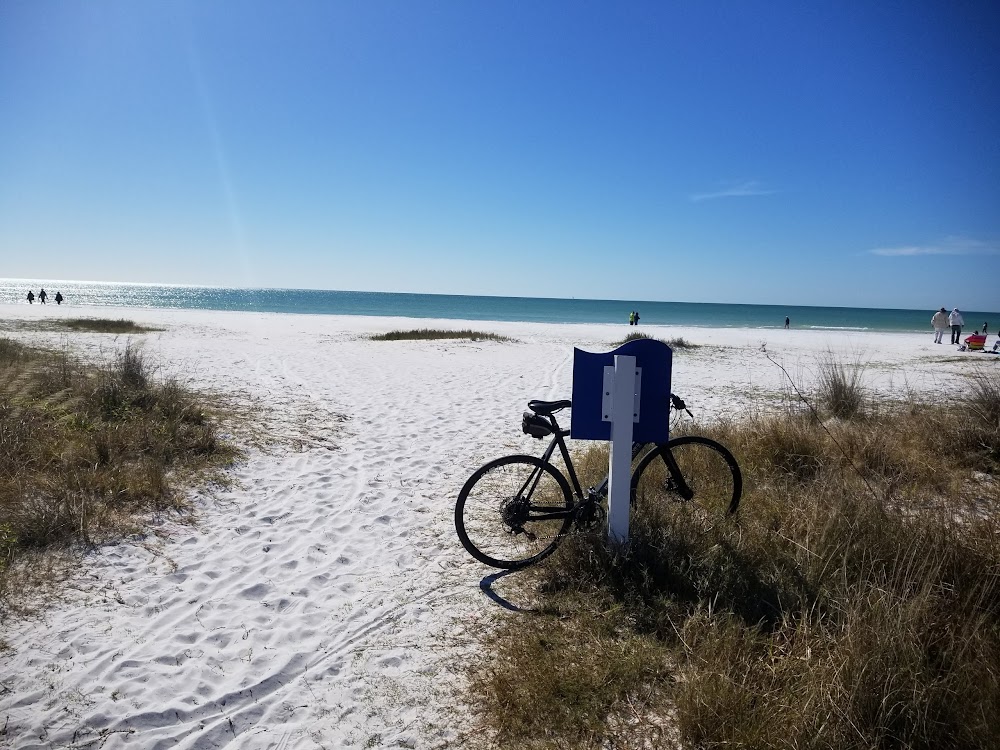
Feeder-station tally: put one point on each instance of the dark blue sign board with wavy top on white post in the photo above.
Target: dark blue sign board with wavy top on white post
(654, 358)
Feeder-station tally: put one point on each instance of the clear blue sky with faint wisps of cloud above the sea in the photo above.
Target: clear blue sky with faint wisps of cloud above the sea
(823, 153)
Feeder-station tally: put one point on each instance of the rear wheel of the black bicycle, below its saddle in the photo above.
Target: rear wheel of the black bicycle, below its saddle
(512, 511)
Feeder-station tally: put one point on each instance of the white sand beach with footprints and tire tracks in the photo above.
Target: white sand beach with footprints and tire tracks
(323, 600)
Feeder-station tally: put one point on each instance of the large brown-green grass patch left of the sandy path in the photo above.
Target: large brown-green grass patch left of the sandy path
(86, 451)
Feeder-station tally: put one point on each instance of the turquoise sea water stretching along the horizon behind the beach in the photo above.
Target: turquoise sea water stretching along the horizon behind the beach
(97, 294)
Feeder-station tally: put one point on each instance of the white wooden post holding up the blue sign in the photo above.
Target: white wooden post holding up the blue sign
(620, 406)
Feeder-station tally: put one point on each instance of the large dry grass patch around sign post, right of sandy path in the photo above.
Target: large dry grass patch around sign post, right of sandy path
(854, 600)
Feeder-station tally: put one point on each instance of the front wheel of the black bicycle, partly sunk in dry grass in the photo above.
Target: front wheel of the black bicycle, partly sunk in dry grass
(707, 467)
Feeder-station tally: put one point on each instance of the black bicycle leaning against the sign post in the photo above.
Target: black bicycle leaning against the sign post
(513, 511)
